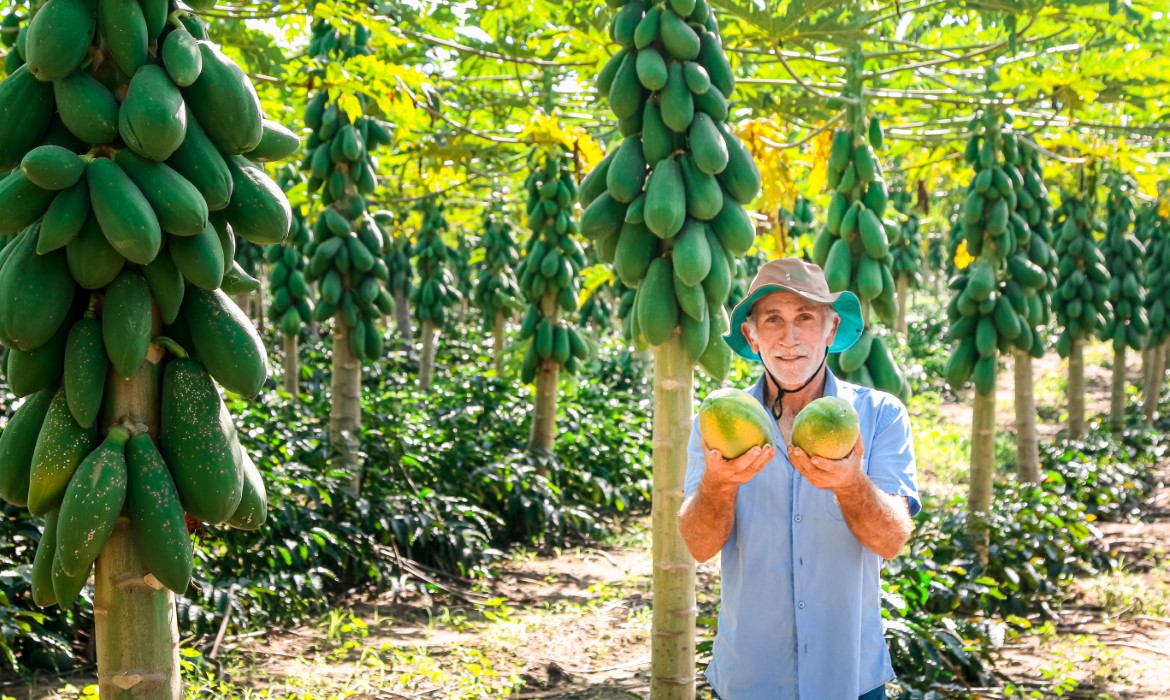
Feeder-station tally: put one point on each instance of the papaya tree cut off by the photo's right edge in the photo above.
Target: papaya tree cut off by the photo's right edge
(1155, 229)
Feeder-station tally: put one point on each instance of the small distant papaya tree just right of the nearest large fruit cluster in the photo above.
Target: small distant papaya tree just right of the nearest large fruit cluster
(292, 306)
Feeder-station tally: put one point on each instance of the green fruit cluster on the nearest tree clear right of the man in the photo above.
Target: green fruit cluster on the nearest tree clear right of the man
(997, 305)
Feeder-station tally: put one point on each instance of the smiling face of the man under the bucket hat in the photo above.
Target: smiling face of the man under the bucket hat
(792, 335)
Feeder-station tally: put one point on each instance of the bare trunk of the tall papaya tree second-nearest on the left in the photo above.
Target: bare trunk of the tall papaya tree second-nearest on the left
(346, 411)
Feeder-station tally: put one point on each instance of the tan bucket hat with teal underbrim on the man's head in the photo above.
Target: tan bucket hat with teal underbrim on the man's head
(808, 280)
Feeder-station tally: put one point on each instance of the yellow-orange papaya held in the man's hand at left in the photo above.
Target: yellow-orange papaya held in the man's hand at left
(733, 422)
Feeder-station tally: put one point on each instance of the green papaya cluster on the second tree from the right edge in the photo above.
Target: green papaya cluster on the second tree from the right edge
(1125, 258)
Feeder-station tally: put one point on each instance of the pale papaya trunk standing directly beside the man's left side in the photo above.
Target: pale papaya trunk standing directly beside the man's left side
(673, 626)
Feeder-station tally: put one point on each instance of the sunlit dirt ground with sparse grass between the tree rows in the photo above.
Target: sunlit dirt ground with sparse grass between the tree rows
(577, 626)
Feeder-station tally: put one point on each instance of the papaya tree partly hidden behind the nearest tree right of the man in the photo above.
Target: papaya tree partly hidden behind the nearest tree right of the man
(1035, 207)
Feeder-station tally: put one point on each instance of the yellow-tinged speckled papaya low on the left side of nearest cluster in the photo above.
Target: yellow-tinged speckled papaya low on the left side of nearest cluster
(60, 448)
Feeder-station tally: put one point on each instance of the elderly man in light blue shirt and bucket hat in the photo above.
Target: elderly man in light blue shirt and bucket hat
(802, 538)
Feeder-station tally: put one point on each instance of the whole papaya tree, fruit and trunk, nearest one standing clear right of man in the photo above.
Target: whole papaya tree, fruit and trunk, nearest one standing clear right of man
(989, 311)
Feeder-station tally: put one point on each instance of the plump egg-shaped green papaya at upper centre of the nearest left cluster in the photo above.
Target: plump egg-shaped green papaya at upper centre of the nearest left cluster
(153, 120)
